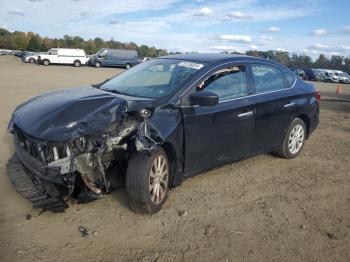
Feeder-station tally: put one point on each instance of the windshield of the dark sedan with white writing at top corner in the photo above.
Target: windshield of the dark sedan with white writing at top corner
(153, 79)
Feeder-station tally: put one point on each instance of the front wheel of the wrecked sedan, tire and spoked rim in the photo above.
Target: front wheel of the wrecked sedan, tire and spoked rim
(147, 181)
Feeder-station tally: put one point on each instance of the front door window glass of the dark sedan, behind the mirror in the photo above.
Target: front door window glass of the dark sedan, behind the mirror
(227, 83)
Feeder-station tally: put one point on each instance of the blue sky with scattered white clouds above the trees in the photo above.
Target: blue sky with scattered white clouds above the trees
(309, 26)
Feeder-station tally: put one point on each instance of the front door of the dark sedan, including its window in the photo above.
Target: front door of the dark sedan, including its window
(219, 134)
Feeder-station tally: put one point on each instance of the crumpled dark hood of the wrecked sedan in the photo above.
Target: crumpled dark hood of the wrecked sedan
(63, 115)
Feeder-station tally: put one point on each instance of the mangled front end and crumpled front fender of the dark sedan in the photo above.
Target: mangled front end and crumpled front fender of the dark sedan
(93, 164)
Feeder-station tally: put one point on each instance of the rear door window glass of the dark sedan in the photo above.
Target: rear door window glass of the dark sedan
(267, 78)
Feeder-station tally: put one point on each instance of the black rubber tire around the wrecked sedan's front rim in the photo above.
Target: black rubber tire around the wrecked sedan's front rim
(138, 181)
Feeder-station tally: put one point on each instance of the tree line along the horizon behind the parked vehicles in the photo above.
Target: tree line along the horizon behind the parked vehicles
(33, 42)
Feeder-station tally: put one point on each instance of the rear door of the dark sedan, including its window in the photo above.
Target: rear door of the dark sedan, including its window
(275, 104)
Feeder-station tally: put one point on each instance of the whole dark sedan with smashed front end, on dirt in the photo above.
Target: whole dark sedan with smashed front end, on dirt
(150, 127)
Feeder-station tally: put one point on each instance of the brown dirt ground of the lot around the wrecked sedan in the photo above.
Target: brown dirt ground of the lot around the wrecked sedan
(260, 209)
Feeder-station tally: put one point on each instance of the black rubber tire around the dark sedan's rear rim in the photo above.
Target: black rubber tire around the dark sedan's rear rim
(284, 149)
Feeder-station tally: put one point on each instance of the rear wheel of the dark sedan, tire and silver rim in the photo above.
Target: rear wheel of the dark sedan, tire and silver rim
(294, 140)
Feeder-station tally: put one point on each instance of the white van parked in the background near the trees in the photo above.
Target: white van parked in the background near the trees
(75, 57)
